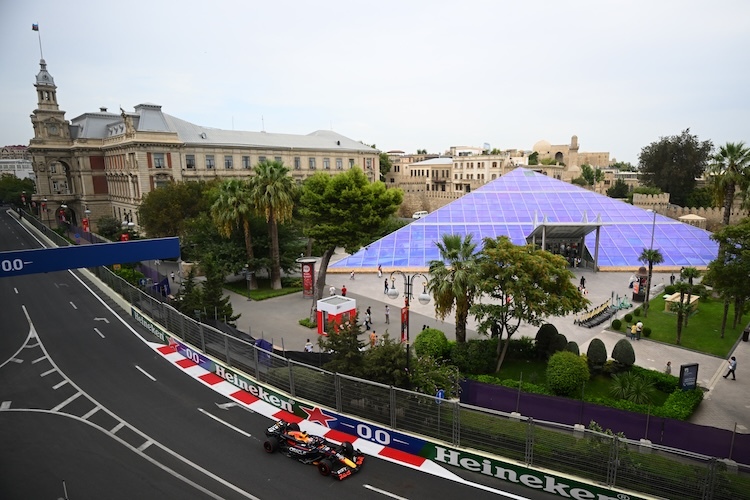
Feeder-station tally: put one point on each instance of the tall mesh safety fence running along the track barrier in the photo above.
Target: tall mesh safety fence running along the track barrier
(600, 457)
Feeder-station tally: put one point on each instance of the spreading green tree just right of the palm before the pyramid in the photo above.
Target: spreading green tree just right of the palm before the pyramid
(524, 284)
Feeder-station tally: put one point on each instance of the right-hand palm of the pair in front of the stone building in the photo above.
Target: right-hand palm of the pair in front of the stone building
(272, 195)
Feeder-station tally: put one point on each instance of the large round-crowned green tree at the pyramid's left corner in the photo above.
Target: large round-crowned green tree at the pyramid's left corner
(344, 210)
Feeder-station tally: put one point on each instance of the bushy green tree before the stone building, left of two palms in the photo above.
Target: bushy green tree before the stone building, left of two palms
(164, 210)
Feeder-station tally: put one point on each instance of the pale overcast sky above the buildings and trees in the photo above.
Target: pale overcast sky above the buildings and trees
(404, 75)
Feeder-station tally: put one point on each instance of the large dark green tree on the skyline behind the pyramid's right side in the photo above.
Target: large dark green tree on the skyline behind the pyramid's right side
(673, 163)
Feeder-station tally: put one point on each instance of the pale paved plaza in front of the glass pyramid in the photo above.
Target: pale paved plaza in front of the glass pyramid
(727, 402)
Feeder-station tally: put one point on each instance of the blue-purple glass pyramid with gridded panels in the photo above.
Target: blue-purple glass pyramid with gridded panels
(516, 203)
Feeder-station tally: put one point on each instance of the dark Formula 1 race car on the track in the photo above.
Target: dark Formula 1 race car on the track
(339, 461)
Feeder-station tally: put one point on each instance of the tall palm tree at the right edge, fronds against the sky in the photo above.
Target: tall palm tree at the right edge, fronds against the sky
(730, 169)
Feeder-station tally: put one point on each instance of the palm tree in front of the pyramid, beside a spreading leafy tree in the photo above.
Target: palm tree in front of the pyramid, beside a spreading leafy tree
(452, 282)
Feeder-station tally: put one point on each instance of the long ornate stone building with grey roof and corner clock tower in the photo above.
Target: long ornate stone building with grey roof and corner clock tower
(104, 162)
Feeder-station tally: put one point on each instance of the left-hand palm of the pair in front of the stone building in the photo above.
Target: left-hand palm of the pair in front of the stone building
(231, 209)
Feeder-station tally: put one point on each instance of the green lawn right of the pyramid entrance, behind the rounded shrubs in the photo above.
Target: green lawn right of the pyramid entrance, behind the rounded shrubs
(703, 333)
